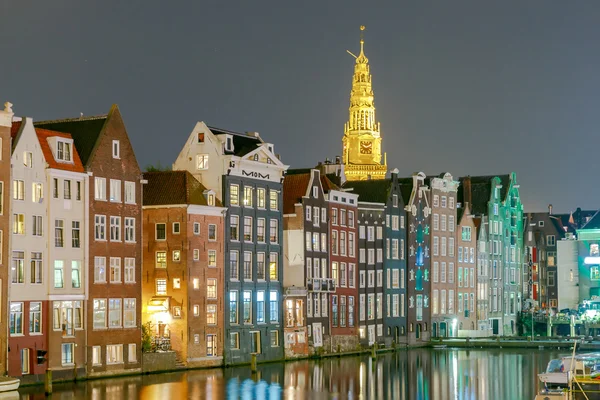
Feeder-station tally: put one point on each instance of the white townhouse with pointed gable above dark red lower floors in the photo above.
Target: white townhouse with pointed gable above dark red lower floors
(28, 321)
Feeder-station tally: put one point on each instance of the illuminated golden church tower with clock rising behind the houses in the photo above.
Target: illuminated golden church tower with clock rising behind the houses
(362, 138)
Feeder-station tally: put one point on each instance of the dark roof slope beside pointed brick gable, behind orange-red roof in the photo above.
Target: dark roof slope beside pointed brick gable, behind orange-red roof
(85, 132)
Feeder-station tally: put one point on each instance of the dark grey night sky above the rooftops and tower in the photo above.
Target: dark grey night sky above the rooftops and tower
(468, 87)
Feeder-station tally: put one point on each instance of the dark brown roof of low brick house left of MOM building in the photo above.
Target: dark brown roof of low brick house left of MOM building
(174, 187)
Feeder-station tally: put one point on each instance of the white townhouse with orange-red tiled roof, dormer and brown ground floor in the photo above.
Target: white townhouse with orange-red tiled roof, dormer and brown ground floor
(65, 192)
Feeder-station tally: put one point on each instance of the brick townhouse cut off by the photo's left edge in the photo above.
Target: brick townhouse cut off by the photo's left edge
(6, 117)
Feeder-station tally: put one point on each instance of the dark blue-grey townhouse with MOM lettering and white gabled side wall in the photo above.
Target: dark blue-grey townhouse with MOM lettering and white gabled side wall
(247, 176)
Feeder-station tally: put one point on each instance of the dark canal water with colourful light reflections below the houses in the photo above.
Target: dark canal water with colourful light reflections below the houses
(420, 374)
